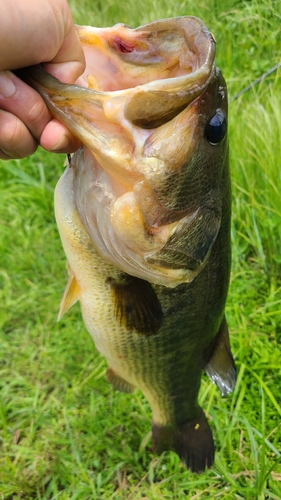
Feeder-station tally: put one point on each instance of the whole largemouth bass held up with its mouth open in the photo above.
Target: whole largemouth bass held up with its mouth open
(143, 210)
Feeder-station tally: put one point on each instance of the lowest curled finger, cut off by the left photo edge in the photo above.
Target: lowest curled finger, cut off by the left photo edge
(15, 138)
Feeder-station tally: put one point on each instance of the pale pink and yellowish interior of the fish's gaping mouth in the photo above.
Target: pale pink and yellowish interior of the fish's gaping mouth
(121, 57)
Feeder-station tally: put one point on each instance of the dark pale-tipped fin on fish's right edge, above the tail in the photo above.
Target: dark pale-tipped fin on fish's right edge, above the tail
(220, 366)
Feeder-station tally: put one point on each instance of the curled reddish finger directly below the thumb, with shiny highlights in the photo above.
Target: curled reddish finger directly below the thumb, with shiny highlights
(24, 102)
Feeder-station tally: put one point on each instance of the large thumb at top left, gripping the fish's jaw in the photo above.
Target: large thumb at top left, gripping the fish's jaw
(34, 31)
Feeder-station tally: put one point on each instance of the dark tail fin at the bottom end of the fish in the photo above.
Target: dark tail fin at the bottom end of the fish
(192, 441)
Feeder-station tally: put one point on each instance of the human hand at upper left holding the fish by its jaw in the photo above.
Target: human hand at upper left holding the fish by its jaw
(32, 32)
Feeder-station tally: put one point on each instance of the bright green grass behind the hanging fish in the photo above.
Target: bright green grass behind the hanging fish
(64, 433)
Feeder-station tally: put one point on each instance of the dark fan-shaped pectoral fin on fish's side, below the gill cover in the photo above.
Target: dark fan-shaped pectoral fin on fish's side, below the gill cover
(136, 305)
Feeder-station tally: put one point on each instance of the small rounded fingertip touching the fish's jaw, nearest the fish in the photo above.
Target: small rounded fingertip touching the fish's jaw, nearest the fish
(57, 138)
